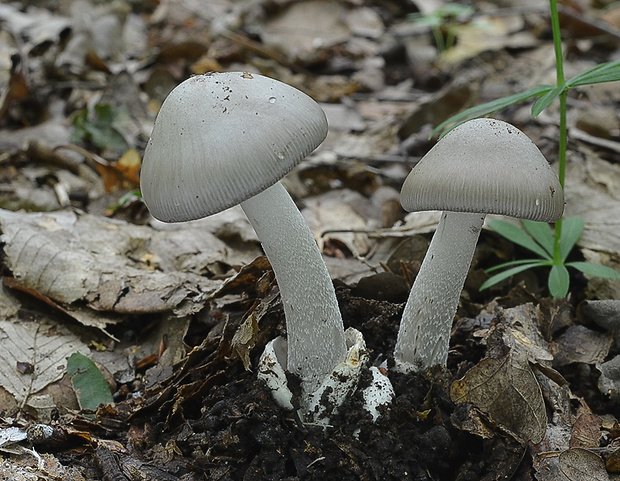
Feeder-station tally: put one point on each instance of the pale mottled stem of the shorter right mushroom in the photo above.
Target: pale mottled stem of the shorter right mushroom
(424, 333)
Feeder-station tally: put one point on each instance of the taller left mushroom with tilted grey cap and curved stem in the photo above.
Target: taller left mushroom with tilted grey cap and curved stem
(223, 139)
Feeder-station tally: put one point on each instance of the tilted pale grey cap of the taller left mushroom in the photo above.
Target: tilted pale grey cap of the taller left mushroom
(222, 138)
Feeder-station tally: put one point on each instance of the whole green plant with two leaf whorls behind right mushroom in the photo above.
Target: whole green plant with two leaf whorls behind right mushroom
(552, 247)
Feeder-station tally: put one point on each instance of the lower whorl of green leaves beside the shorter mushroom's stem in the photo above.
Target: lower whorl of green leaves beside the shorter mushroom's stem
(538, 238)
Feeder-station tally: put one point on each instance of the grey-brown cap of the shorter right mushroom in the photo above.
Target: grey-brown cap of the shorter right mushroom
(485, 166)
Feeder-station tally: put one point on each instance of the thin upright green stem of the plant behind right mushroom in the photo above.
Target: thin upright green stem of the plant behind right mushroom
(559, 65)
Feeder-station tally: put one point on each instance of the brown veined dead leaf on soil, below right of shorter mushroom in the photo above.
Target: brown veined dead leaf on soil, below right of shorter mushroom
(507, 390)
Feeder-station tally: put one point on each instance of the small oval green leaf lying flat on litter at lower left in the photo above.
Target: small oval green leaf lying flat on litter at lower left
(89, 385)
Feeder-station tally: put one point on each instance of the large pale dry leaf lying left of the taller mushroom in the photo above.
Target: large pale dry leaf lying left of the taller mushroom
(69, 257)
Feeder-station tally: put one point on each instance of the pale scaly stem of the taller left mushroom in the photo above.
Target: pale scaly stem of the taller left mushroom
(315, 333)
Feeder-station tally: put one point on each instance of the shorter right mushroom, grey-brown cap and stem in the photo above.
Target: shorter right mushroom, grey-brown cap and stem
(483, 166)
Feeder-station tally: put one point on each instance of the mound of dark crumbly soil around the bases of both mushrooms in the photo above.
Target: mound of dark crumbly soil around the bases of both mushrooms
(240, 433)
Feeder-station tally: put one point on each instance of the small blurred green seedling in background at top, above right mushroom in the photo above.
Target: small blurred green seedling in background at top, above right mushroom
(443, 22)
